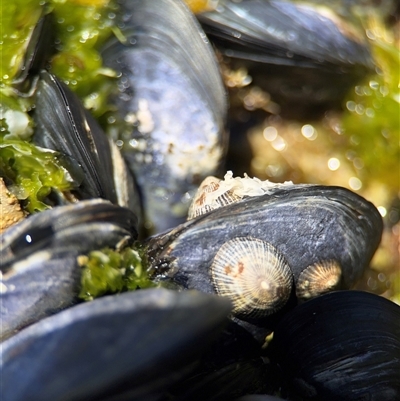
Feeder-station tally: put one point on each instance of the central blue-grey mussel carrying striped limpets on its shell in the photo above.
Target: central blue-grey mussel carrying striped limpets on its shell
(320, 238)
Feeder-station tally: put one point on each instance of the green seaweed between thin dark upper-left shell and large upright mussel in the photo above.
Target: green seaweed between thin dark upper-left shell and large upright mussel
(82, 28)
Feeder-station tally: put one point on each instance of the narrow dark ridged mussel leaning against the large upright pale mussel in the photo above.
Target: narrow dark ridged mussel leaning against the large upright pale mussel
(64, 125)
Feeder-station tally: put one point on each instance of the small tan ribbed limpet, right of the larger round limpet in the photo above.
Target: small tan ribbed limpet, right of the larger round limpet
(318, 278)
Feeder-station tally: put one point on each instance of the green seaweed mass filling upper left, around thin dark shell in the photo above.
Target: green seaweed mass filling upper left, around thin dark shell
(81, 27)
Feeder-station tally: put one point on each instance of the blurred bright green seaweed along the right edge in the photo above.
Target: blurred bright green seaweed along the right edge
(372, 116)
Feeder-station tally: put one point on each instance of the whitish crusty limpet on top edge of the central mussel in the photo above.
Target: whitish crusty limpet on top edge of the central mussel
(214, 193)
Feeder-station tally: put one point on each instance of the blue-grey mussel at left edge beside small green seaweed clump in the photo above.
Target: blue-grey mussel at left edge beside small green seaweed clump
(39, 270)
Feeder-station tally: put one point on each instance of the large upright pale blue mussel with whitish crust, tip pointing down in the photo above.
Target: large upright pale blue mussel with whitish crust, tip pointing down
(170, 85)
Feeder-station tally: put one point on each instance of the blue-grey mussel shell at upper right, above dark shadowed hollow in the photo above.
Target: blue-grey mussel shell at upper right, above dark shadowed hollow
(284, 33)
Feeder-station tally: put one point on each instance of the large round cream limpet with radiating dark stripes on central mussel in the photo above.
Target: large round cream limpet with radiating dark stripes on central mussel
(254, 275)
